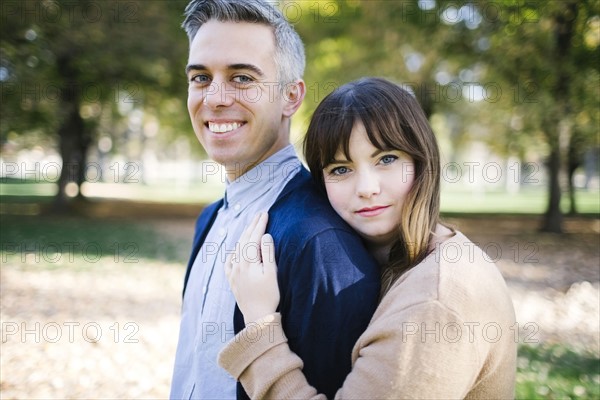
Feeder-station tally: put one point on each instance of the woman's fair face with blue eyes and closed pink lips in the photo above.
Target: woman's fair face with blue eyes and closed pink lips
(369, 190)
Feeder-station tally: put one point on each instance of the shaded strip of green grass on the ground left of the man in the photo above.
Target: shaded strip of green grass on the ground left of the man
(76, 242)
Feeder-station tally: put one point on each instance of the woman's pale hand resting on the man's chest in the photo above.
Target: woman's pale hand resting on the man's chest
(252, 272)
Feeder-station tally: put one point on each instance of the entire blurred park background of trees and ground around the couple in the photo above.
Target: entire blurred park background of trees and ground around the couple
(102, 176)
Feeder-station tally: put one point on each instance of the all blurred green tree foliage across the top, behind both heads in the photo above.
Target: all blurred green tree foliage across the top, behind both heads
(105, 78)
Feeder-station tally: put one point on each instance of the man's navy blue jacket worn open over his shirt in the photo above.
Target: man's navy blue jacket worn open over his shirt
(329, 283)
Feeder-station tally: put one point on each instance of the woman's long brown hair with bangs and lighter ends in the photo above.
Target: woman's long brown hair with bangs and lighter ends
(393, 119)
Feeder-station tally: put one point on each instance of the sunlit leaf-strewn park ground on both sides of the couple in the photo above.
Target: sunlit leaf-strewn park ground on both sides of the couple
(90, 306)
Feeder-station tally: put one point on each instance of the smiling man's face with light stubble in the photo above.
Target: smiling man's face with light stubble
(234, 100)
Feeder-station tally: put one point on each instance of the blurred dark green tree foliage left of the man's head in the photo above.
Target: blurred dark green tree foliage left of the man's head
(110, 57)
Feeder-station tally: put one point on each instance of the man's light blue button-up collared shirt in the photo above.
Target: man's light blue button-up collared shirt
(208, 305)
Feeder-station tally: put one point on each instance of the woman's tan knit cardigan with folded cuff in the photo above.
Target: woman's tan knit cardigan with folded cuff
(445, 330)
